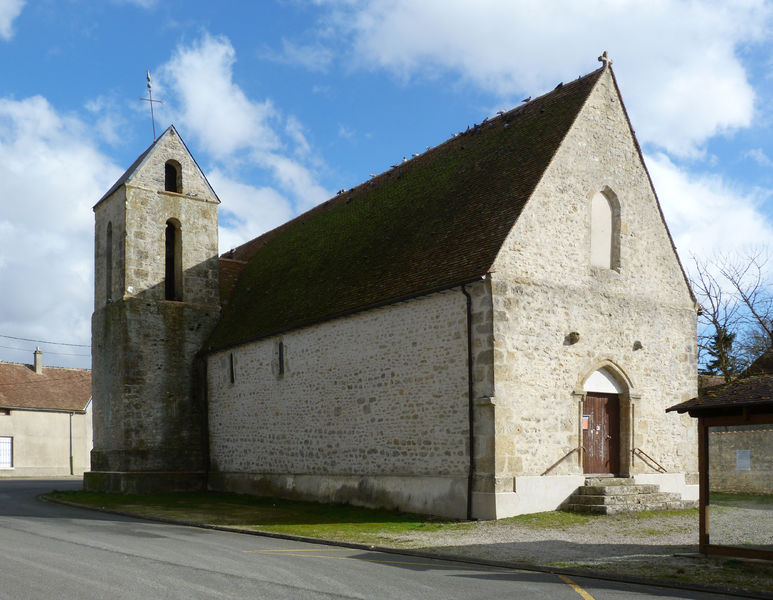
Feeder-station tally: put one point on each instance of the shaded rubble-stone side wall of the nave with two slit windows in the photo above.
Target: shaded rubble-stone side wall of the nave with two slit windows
(381, 393)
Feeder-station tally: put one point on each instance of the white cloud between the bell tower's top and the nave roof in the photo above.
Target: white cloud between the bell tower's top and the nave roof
(241, 133)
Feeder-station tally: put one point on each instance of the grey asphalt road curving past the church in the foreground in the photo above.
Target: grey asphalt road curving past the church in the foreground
(50, 551)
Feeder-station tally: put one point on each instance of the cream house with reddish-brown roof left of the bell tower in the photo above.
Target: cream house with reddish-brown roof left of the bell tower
(45, 420)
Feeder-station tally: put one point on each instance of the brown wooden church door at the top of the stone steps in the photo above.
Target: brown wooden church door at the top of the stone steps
(601, 433)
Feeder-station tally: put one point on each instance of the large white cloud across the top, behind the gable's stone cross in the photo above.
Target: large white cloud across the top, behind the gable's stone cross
(677, 62)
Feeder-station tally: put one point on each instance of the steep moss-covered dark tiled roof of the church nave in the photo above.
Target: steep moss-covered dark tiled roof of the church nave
(428, 224)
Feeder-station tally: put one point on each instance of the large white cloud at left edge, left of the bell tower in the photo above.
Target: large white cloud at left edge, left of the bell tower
(52, 174)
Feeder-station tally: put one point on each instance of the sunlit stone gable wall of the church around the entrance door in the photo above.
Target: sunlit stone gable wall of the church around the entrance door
(544, 288)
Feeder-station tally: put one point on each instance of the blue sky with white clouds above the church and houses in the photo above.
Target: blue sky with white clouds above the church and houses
(284, 102)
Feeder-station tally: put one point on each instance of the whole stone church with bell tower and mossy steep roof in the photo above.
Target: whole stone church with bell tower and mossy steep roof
(469, 334)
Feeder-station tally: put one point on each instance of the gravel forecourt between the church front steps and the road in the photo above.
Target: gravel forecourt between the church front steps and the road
(659, 546)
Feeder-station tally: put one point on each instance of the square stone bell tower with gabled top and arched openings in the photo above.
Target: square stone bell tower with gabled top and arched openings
(156, 300)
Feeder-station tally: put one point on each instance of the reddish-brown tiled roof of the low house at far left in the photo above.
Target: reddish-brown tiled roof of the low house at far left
(54, 389)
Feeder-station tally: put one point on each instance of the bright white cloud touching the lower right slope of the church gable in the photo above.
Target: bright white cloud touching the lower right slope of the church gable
(707, 215)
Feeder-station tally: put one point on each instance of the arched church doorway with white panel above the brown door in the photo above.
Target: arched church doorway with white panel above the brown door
(600, 423)
